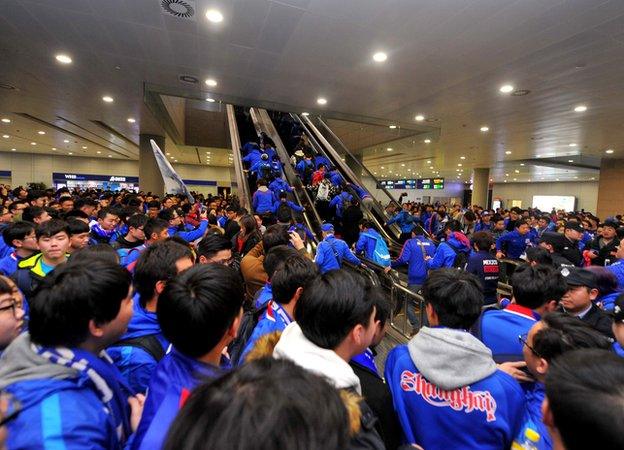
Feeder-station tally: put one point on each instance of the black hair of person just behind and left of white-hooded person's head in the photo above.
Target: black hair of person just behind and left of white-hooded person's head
(294, 272)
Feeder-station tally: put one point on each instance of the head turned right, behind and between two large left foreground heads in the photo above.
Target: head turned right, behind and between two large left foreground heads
(157, 265)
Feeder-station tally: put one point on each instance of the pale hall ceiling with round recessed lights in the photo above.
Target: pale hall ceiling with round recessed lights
(446, 61)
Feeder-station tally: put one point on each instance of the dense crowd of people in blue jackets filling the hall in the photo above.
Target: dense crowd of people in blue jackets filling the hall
(146, 321)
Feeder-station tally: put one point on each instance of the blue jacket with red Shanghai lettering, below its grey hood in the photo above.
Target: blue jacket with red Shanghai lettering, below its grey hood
(483, 415)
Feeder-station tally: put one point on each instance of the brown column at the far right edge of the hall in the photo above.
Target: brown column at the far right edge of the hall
(610, 188)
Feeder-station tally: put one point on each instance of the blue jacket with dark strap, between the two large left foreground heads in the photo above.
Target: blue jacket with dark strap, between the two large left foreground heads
(136, 364)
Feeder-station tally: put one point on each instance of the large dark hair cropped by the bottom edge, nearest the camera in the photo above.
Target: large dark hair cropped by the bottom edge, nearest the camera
(239, 410)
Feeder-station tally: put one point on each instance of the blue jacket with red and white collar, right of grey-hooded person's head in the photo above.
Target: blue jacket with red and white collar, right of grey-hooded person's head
(499, 329)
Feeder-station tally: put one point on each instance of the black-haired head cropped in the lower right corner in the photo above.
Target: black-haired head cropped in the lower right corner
(584, 397)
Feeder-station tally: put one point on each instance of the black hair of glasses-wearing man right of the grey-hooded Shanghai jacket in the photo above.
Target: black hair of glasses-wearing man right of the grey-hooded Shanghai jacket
(563, 333)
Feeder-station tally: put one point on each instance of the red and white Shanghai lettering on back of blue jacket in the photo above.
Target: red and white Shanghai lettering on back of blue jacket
(457, 399)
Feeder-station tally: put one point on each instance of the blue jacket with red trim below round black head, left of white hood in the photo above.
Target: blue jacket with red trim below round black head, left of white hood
(174, 379)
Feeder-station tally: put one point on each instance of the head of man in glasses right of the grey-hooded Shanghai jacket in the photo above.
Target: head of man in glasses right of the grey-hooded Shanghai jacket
(553, 335)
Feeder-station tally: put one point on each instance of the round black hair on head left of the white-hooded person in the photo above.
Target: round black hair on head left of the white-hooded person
(198, 306)
